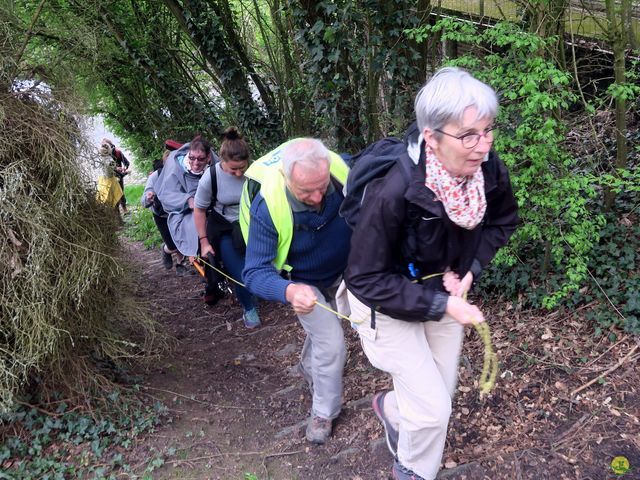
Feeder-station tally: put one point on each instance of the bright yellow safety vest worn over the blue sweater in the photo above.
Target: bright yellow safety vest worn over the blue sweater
(267, 172)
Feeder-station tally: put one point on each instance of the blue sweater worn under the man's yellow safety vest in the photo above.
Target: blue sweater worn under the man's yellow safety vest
(318, 253)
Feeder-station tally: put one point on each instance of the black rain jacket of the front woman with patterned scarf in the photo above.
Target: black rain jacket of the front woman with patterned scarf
(401, 222)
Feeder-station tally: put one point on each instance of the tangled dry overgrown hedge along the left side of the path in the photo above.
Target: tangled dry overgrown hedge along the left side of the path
(61, 284)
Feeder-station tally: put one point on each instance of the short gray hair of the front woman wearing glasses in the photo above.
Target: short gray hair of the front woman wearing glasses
(445, 97)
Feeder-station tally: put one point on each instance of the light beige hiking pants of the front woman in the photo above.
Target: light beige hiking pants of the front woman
(422, 358)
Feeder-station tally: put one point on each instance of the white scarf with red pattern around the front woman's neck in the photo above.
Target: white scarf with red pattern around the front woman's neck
(462, 197)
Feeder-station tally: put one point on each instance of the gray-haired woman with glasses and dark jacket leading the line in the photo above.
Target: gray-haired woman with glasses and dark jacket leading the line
(451, 216)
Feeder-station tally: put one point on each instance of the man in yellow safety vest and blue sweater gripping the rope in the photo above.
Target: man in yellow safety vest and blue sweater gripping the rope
(297, 249)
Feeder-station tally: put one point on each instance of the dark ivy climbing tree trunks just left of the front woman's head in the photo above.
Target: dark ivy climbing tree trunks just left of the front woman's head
(358, 52)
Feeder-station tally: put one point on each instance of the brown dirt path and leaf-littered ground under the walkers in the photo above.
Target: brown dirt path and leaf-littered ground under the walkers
(565, 405)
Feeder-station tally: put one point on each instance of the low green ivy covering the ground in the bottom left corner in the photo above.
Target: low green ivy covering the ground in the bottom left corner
(69, 444)
